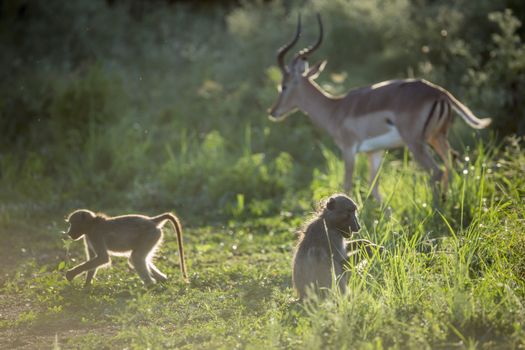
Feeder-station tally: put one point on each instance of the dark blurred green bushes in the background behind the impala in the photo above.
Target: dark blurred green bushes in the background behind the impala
(161, 105)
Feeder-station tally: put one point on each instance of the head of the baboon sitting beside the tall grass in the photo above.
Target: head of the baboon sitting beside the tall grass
(341, 212)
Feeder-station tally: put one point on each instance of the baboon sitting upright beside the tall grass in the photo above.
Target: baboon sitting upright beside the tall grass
(321, 252)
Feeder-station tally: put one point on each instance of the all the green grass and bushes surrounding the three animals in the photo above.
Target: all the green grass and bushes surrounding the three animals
(162, 108)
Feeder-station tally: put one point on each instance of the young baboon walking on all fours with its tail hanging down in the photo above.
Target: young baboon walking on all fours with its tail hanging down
(136, 236)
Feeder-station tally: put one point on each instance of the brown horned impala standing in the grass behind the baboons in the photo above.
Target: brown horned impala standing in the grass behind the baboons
(374, 118)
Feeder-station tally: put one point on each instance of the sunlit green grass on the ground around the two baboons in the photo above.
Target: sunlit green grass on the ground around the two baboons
(450, 279)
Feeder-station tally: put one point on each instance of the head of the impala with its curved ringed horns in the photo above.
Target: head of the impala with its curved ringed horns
(295, 75)
